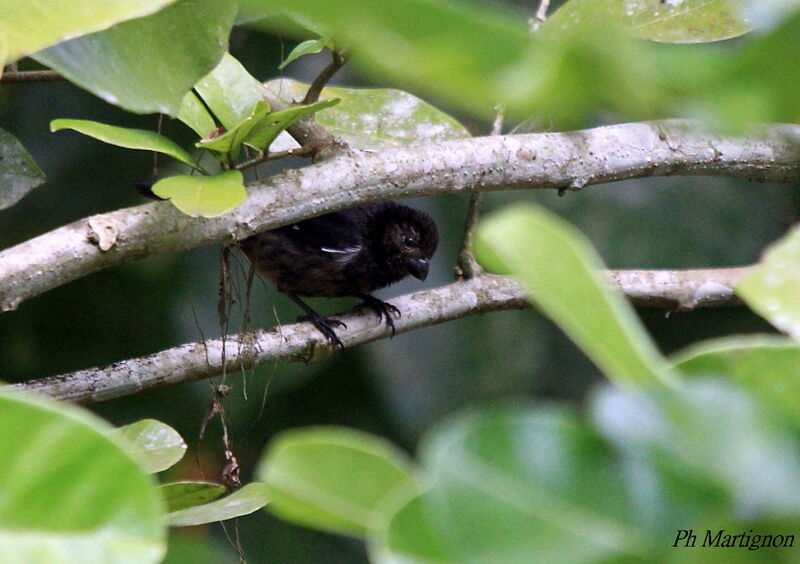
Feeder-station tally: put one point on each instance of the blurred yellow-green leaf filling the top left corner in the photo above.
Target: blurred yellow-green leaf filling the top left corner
(27, 27)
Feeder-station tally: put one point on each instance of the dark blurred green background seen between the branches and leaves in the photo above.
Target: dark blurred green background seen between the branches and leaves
(396, 388)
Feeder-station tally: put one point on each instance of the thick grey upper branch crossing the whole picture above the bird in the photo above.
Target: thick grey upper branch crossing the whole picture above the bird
(568, 160)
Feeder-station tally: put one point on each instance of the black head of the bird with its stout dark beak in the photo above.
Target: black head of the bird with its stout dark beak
(409, 240)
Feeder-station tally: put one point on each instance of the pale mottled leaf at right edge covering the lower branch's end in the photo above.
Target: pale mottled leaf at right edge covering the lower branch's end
(772, 289)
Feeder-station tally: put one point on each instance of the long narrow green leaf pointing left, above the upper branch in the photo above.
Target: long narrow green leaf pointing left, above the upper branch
(123, 137)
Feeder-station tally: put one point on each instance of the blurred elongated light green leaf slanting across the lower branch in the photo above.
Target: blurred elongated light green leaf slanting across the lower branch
(563, 275)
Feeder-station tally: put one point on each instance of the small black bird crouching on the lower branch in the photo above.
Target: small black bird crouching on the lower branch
(351, 252)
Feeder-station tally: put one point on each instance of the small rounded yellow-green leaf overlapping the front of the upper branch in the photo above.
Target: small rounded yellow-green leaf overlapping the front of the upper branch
(207, 196)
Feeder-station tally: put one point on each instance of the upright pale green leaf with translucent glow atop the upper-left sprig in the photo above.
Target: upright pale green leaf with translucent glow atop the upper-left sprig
(230, 92)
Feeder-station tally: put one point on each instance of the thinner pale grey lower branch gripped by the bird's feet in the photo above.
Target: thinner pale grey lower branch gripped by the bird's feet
(301, 342)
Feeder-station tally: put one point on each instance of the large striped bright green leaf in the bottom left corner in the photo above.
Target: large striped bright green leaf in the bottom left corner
(70, 492)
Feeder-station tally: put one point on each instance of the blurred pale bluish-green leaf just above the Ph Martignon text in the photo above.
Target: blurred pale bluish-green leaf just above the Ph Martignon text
(714, 434)
